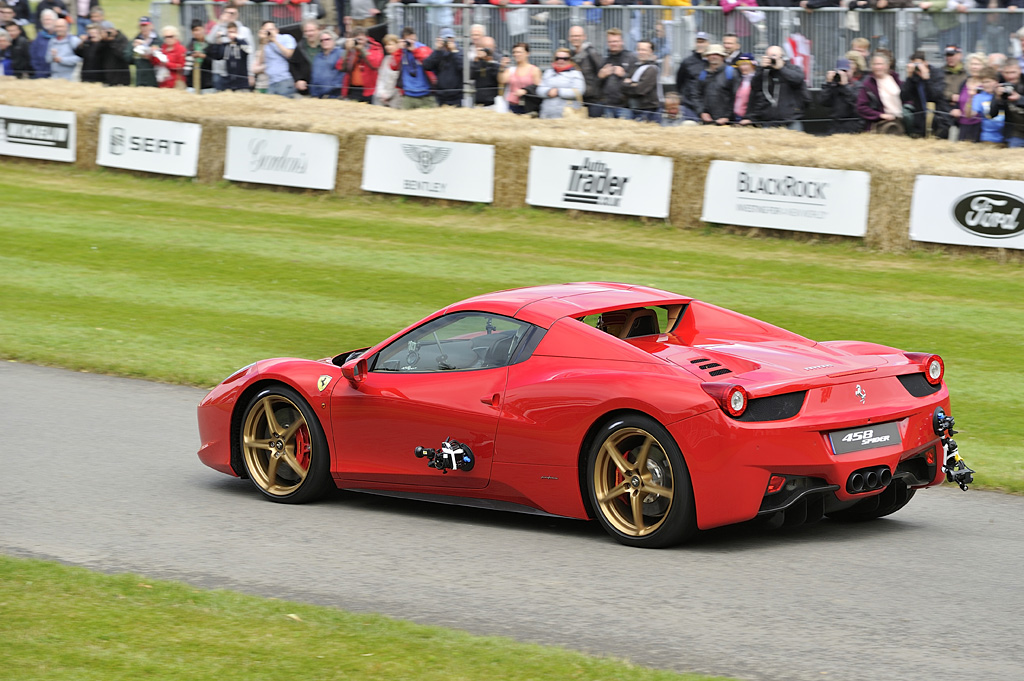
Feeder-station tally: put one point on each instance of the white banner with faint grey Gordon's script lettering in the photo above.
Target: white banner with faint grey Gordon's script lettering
(281, 157)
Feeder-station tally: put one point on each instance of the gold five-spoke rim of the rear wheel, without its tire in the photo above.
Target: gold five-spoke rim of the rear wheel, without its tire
(633, 482)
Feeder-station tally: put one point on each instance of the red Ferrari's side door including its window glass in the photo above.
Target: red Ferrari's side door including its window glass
(445, 379)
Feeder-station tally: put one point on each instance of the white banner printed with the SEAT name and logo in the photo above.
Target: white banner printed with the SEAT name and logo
(155, 147)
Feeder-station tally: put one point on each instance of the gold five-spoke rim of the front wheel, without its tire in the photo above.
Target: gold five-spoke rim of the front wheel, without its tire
(277, 446)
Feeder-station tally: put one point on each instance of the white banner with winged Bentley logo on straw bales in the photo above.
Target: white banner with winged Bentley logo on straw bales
(430, 168)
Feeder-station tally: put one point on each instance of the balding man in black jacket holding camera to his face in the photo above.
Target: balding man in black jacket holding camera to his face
(779, 94)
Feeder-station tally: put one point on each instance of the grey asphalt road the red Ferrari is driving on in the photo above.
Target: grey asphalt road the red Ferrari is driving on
(102, 473)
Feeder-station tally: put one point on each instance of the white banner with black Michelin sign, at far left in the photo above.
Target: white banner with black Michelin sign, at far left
(37, 134)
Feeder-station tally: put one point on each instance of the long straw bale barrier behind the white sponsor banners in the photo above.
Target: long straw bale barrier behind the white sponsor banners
(892, 162)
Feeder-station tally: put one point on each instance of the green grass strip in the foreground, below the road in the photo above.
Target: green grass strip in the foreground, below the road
(69, 624)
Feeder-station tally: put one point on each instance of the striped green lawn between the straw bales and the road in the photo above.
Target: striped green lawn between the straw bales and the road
(182, 282)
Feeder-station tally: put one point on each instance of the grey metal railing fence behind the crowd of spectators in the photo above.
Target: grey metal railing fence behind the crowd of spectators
(826, 34)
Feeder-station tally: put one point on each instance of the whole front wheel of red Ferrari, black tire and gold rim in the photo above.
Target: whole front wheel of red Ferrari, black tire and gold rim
(284, 449)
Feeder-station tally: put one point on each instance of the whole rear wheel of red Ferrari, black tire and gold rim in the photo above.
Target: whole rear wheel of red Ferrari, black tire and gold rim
(639, 485)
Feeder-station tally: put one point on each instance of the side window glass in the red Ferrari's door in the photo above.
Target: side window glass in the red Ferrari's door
(461, 342)
